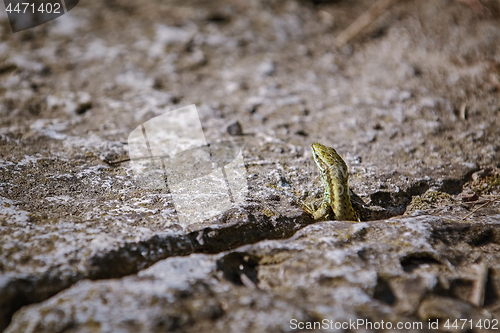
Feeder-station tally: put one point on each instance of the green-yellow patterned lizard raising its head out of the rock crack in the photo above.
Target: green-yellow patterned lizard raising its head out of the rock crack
(336, 202)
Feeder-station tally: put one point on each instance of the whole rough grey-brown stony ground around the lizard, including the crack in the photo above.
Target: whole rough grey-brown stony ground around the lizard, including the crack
(412, 104)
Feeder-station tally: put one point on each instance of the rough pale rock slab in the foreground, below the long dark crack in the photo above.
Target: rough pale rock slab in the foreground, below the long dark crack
(403, 271)
